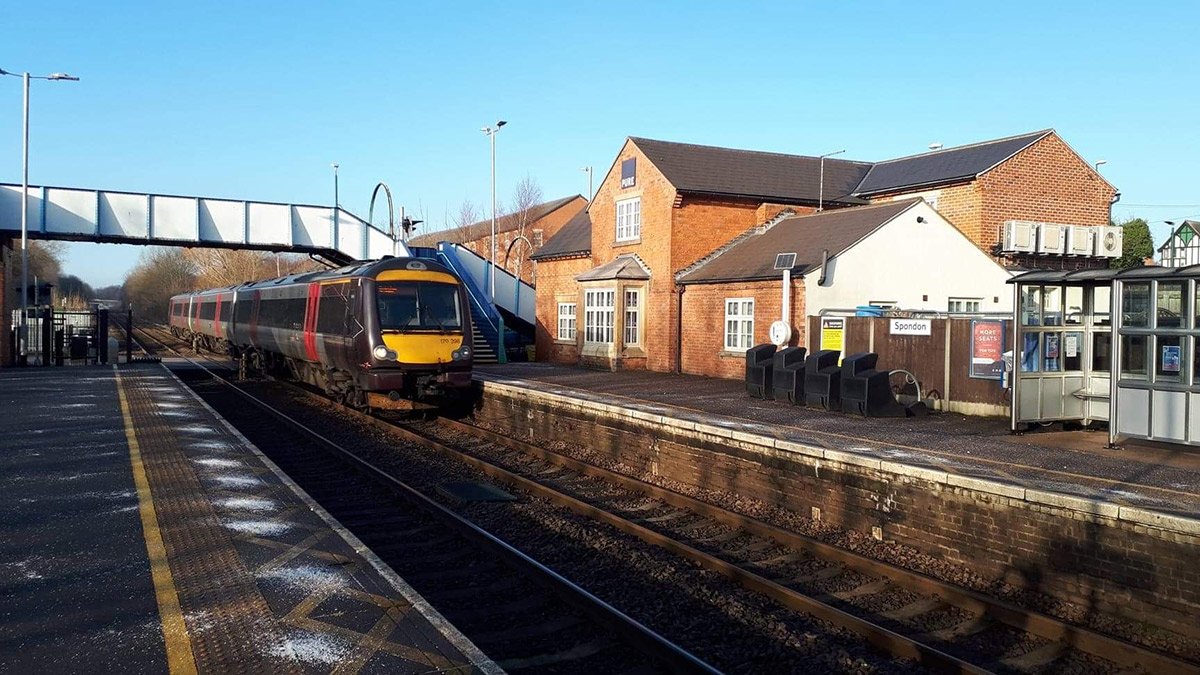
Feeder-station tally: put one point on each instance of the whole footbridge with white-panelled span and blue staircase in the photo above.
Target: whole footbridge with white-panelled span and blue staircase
(505, 320)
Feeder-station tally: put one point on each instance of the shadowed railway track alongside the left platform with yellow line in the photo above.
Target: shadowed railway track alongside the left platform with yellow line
(484, 587)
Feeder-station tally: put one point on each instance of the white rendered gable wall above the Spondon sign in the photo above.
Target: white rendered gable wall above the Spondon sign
(905, 262)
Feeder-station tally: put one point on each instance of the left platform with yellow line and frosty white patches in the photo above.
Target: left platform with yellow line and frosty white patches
(140, 533)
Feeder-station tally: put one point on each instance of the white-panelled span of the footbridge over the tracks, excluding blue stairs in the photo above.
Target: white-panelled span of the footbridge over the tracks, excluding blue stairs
(107, 217)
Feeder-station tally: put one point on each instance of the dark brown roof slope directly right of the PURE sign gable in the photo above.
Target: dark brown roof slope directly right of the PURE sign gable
(763, 176)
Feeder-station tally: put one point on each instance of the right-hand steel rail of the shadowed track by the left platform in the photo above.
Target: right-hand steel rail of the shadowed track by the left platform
(675, 658)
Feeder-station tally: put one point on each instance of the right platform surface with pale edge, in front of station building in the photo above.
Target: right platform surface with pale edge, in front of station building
(1160, 479)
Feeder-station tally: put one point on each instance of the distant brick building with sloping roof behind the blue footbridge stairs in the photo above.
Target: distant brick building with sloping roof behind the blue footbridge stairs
(543, 222)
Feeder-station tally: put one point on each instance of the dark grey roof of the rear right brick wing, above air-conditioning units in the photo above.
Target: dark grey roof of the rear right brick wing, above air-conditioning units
(944, 166)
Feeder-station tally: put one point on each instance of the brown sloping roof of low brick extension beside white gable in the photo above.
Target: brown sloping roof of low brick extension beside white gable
(753, 256)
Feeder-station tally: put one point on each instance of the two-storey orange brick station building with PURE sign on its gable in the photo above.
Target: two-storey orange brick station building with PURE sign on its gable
(611, 296)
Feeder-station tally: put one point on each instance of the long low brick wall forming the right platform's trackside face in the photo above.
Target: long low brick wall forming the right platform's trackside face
(1061, 547)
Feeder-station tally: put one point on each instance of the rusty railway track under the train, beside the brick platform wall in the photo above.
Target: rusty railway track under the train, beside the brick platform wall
(902, 613)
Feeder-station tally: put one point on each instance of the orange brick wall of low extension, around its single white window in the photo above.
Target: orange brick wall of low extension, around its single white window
(704, 310)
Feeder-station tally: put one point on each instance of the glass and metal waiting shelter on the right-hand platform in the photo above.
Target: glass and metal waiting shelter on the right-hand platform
(1109, 345)
